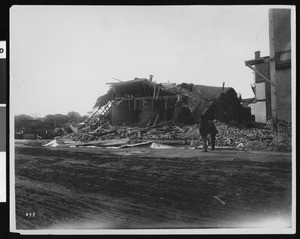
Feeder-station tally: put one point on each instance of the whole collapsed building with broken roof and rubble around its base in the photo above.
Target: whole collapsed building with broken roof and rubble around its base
(143, 113)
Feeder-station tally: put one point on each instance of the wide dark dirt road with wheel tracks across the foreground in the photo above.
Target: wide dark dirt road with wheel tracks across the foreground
(149, 188)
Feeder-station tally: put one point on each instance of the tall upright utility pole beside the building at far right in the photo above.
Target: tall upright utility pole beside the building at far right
(273, 78)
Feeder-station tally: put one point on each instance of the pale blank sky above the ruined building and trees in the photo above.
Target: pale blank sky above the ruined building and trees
(61, 57)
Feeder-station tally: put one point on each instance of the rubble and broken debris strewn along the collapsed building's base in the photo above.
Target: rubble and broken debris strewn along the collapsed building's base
(257, 137)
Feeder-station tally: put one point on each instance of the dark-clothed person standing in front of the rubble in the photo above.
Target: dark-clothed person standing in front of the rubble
(207, 126)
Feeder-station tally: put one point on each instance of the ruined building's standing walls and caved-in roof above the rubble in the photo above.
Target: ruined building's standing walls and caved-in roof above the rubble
(142, 102)
